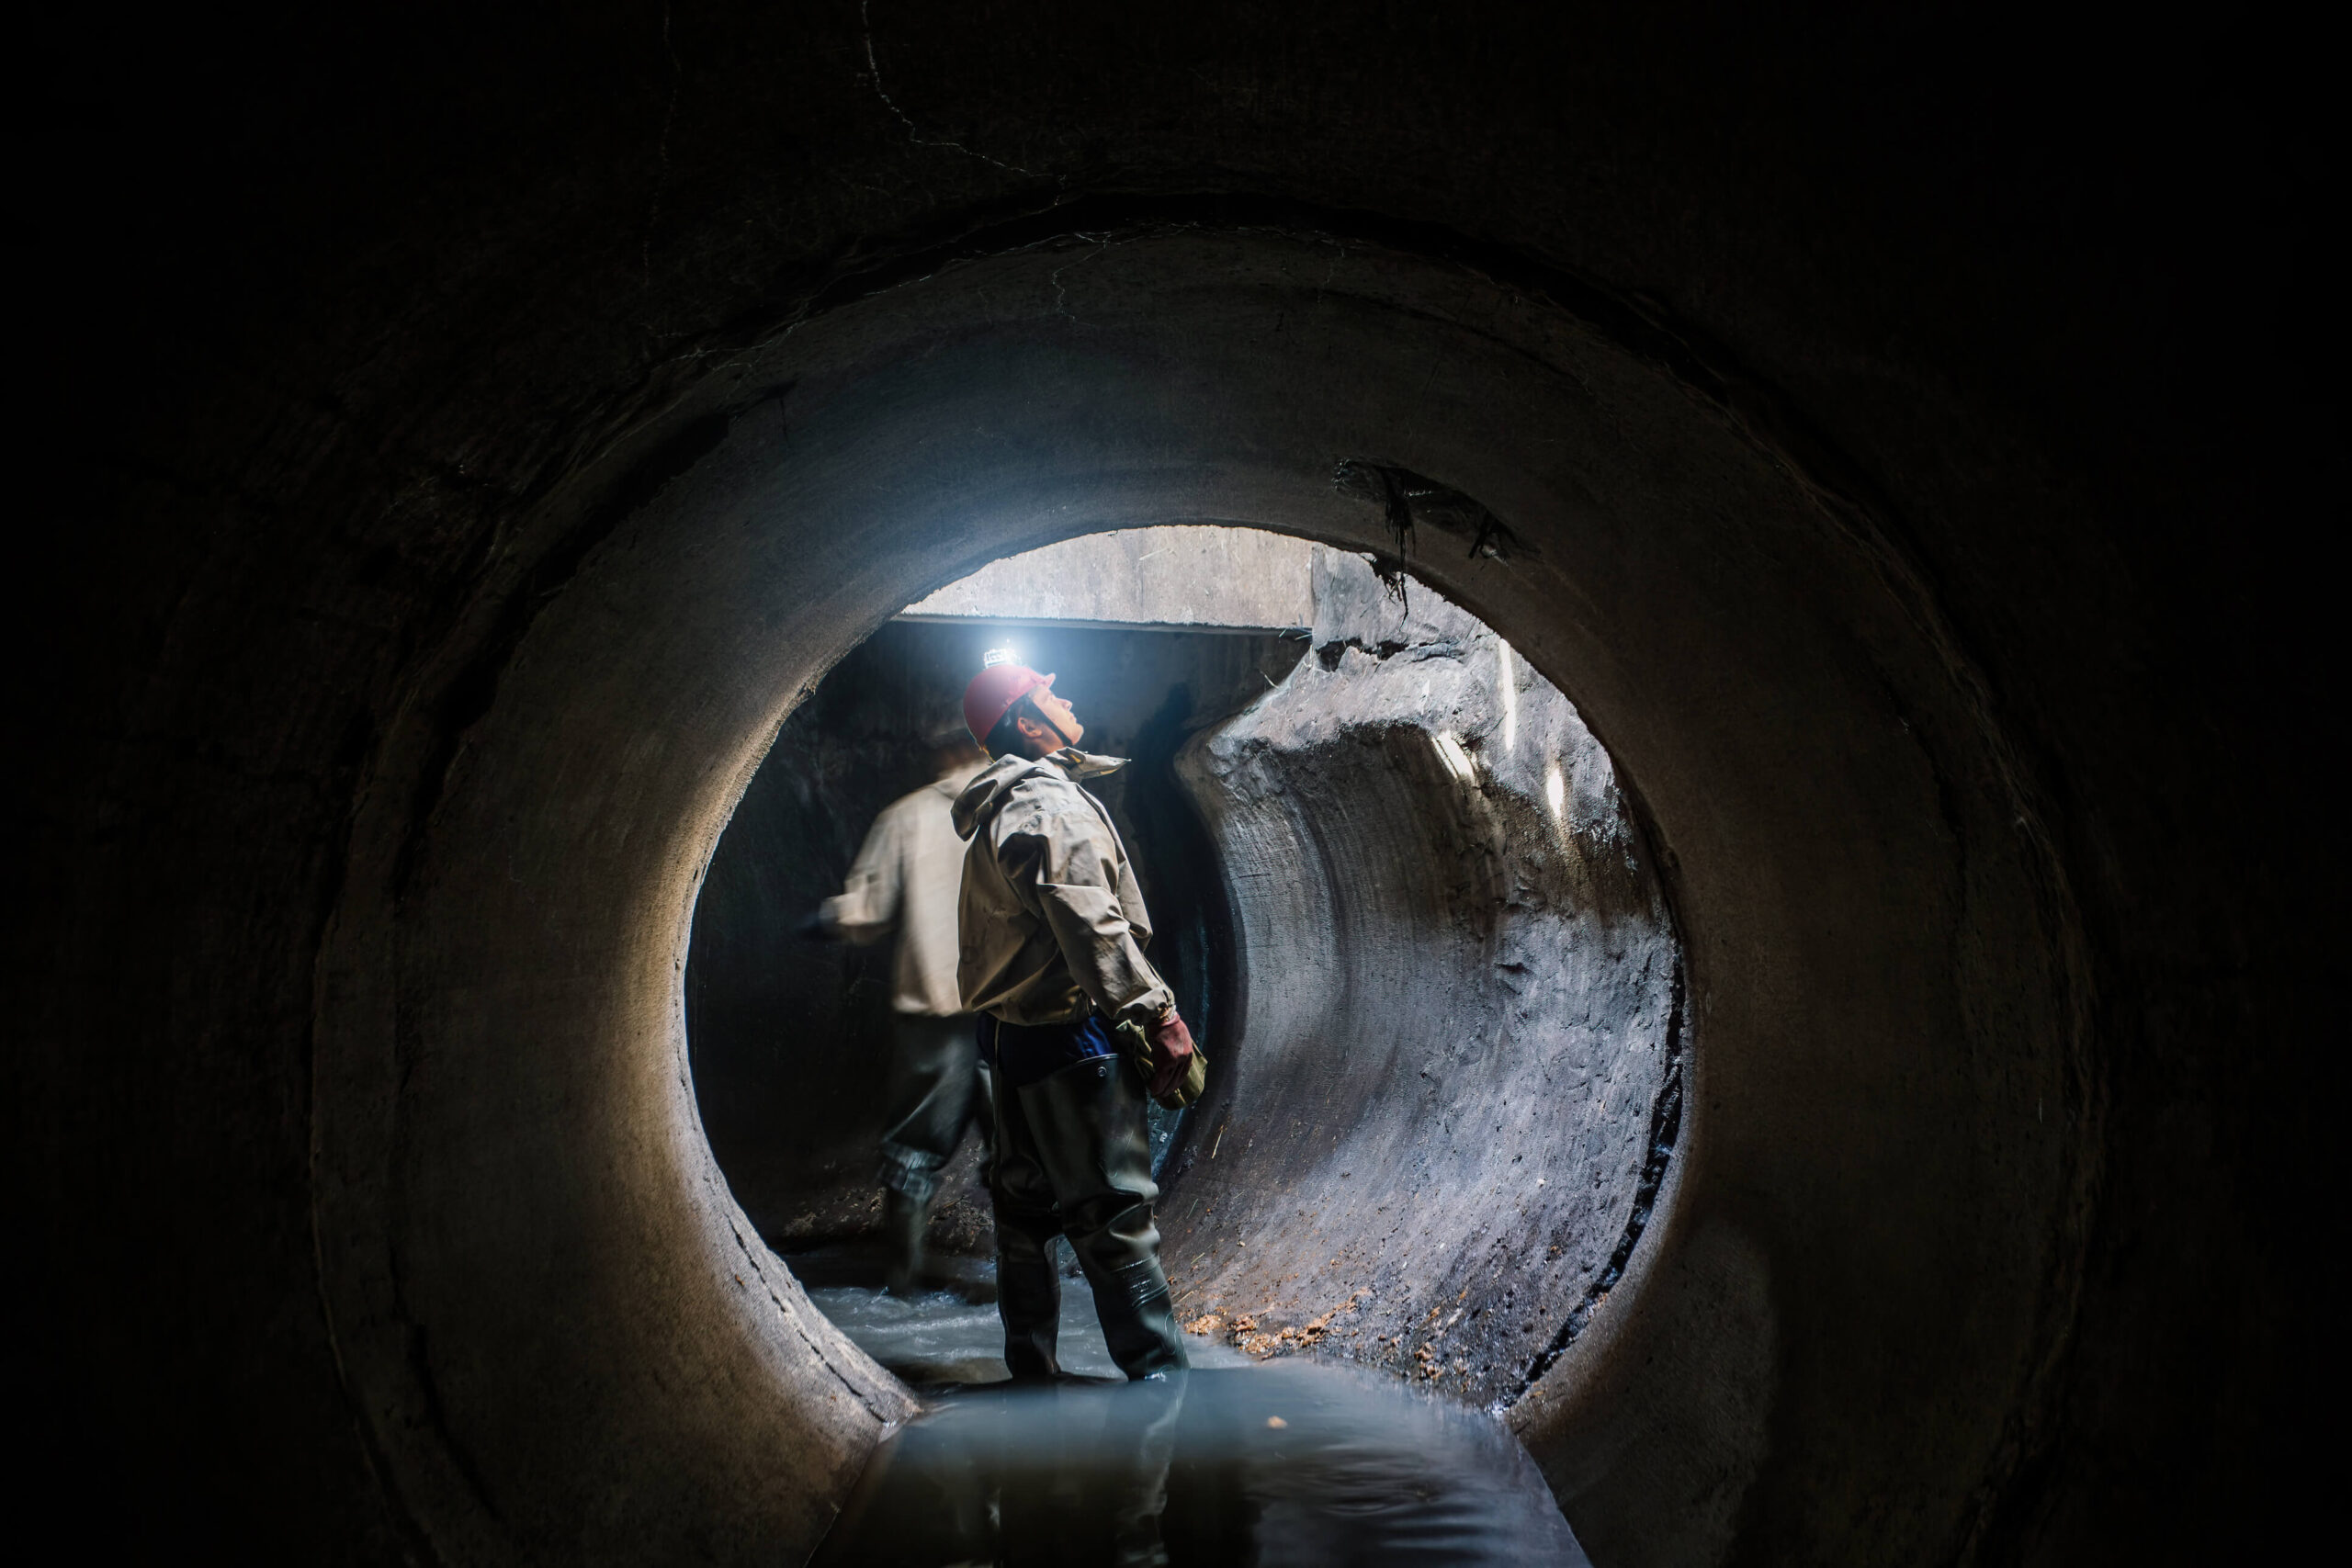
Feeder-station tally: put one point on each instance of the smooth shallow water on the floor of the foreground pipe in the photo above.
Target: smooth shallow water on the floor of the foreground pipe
(1283, 1463)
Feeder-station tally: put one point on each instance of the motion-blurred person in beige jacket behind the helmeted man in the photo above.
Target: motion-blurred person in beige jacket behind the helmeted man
(907, 883)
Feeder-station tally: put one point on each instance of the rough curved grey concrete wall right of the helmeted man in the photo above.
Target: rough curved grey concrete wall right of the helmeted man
(1462, 1040)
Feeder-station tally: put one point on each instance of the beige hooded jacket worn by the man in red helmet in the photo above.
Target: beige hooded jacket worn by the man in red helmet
(1053, 920)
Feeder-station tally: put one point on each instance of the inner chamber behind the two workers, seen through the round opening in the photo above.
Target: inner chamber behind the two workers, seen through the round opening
(1398, 894)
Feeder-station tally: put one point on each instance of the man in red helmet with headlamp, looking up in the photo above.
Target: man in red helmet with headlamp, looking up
(1053, 960)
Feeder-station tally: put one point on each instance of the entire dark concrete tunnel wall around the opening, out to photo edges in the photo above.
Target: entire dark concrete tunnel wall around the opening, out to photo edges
(465, 462)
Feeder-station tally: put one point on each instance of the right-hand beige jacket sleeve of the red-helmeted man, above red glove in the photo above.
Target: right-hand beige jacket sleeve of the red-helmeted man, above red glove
(1069, 864)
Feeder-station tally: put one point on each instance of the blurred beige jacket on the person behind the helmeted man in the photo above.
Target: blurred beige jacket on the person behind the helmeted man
(907, 880)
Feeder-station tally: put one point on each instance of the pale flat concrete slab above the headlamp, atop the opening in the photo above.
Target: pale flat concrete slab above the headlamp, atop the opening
(1201, 575)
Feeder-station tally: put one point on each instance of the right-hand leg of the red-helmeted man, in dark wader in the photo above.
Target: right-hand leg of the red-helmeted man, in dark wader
(1093, 1141)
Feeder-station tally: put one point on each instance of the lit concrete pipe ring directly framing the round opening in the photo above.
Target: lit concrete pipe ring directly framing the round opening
(505, 1127)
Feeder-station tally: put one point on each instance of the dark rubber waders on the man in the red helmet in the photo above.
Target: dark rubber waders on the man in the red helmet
(1074, 1158)
